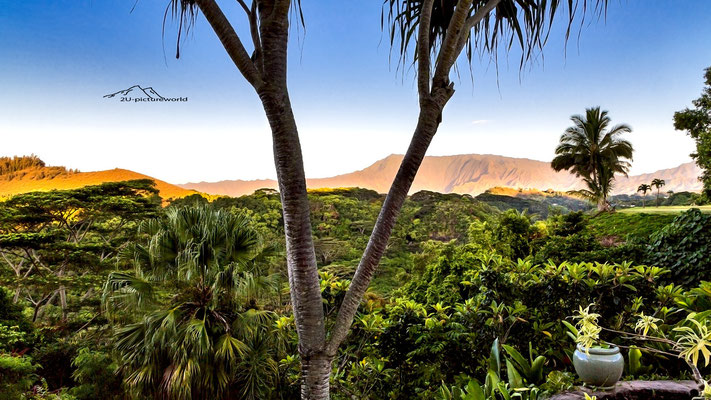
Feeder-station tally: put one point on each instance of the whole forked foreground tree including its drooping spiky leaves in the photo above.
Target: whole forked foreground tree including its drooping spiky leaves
(439, 31)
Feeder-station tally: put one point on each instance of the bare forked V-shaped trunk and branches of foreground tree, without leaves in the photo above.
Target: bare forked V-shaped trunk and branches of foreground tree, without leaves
(266, 72)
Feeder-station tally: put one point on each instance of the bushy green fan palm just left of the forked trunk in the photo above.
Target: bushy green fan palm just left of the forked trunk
(188, 324)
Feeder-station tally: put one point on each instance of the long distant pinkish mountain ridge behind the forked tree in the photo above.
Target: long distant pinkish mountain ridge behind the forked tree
(465, 174)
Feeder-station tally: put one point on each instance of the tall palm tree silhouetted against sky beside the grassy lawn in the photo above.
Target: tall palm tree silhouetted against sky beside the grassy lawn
(595, 153)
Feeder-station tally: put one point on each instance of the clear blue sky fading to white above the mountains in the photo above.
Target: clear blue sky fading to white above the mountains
(59, 57)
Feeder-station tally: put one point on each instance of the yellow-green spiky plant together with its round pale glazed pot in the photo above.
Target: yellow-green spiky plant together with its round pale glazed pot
(596, 362)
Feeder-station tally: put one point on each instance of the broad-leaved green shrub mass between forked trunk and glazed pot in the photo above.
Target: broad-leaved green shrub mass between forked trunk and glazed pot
(443, 324)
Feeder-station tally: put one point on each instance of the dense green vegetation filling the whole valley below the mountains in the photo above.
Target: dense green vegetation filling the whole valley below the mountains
(107, 295)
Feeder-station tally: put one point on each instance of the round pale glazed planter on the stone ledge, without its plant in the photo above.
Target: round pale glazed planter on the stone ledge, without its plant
(598, 366)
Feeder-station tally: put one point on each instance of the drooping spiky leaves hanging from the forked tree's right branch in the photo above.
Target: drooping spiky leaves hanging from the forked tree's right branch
(489, 25)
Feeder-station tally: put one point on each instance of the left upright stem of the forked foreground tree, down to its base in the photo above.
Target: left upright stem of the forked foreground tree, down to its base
(304, 282)
